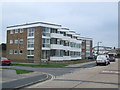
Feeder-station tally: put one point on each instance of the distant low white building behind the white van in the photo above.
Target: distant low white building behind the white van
(101, 50)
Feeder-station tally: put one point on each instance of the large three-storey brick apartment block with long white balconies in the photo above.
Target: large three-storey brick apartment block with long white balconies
(39, 42)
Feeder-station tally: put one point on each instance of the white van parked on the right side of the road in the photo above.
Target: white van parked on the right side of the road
(102, 59)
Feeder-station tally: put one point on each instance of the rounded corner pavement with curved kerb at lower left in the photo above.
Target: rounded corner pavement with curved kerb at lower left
(24, 80)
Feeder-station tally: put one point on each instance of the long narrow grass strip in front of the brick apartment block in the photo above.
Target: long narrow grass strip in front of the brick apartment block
(43, 65)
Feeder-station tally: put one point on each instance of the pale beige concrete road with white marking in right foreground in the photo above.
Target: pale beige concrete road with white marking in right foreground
(94, 77)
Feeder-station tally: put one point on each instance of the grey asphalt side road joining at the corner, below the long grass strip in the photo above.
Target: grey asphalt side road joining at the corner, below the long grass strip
(55, 71)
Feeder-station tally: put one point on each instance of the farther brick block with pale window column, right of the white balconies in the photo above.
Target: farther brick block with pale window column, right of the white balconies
(86, 47)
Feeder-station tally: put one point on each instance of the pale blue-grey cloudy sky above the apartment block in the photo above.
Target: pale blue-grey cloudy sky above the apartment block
(97, 20)
